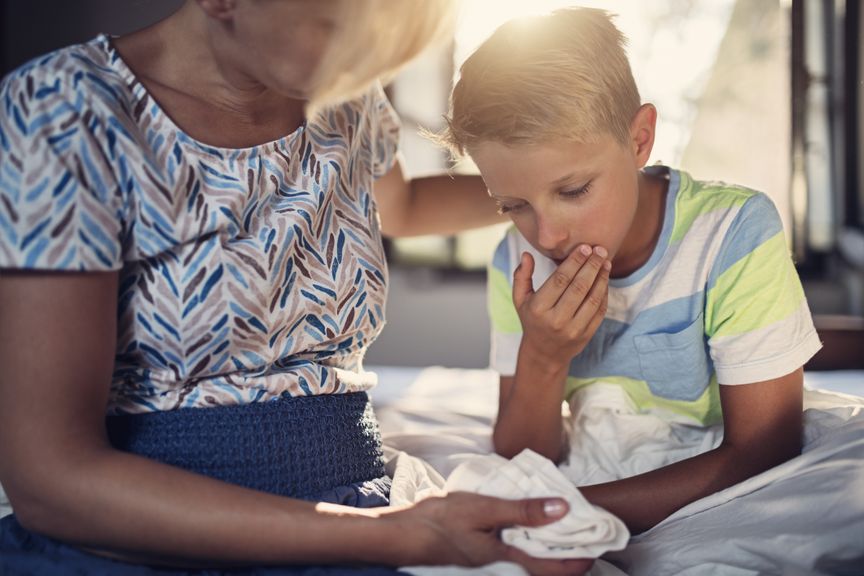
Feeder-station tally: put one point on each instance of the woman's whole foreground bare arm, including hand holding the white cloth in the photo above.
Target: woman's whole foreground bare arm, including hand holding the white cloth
(57, 342)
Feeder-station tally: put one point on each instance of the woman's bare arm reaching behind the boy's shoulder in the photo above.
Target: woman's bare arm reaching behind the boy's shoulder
(432, 205)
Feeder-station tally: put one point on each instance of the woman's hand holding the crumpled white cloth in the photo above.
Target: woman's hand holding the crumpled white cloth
(463, 529)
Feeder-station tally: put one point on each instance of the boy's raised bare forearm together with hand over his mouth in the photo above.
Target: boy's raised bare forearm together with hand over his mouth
(558, 321)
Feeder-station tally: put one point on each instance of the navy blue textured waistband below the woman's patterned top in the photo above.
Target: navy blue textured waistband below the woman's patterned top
(294, 446)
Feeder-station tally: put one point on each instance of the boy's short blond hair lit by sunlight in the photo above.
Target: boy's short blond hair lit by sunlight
(560, 76)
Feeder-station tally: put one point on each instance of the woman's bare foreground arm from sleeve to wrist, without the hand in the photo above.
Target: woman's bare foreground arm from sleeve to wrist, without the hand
(57, 342)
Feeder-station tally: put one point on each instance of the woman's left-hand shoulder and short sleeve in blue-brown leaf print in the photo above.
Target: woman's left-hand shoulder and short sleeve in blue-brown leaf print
(64, 207)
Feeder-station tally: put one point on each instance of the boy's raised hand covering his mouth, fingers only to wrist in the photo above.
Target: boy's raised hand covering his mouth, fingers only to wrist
(559, 319)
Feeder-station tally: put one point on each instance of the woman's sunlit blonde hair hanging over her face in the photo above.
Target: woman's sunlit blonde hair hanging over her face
(374, 39)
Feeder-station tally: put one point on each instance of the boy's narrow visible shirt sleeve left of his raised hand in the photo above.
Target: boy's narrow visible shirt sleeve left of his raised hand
(506, 326)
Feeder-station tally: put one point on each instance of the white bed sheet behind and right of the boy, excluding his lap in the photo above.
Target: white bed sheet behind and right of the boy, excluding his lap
(444, 416)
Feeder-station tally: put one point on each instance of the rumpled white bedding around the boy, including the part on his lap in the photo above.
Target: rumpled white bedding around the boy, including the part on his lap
(803, 517)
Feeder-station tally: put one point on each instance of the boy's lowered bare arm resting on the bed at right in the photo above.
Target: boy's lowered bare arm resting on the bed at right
(762, 429)
